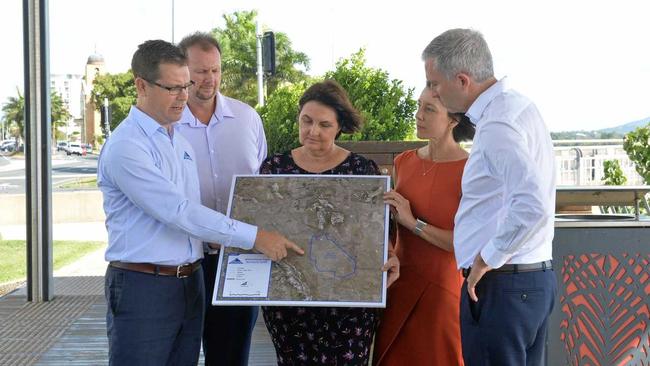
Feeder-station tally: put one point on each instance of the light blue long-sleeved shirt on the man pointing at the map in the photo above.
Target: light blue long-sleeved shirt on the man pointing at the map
(151, 198)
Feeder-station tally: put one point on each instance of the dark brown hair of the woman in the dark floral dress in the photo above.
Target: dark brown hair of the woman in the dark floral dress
(331, 94)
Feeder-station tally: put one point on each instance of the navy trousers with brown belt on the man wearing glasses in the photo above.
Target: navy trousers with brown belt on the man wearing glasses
(153, 320)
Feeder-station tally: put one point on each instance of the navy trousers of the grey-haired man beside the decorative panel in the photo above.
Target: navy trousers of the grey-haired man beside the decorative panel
(508, 325)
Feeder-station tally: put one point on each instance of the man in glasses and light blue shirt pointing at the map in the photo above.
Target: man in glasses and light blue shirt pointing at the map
(156, 224)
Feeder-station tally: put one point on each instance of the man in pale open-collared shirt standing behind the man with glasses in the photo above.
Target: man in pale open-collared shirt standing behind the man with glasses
(228, 138)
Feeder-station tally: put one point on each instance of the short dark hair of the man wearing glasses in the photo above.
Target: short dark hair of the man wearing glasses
(147, 59)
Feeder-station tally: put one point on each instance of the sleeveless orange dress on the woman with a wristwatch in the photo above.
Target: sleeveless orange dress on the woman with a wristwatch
(421, 323)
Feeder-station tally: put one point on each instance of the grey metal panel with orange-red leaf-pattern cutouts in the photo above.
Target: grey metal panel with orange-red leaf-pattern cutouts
(602, 313)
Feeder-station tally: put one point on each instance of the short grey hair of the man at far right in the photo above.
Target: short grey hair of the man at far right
(461, 50)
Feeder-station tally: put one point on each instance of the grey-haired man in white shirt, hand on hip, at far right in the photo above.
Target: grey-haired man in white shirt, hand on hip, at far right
(504, 225)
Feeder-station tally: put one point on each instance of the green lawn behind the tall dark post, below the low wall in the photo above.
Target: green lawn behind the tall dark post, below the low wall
(13, 252)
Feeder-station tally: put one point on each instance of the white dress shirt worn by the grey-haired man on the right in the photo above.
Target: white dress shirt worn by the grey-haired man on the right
(508, 188)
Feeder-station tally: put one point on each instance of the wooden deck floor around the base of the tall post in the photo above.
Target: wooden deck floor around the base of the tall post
(71, 329)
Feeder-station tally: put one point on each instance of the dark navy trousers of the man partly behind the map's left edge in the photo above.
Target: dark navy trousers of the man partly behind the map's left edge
(227, 330)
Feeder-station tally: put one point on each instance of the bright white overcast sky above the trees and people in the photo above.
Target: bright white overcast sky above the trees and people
(586, 64)
